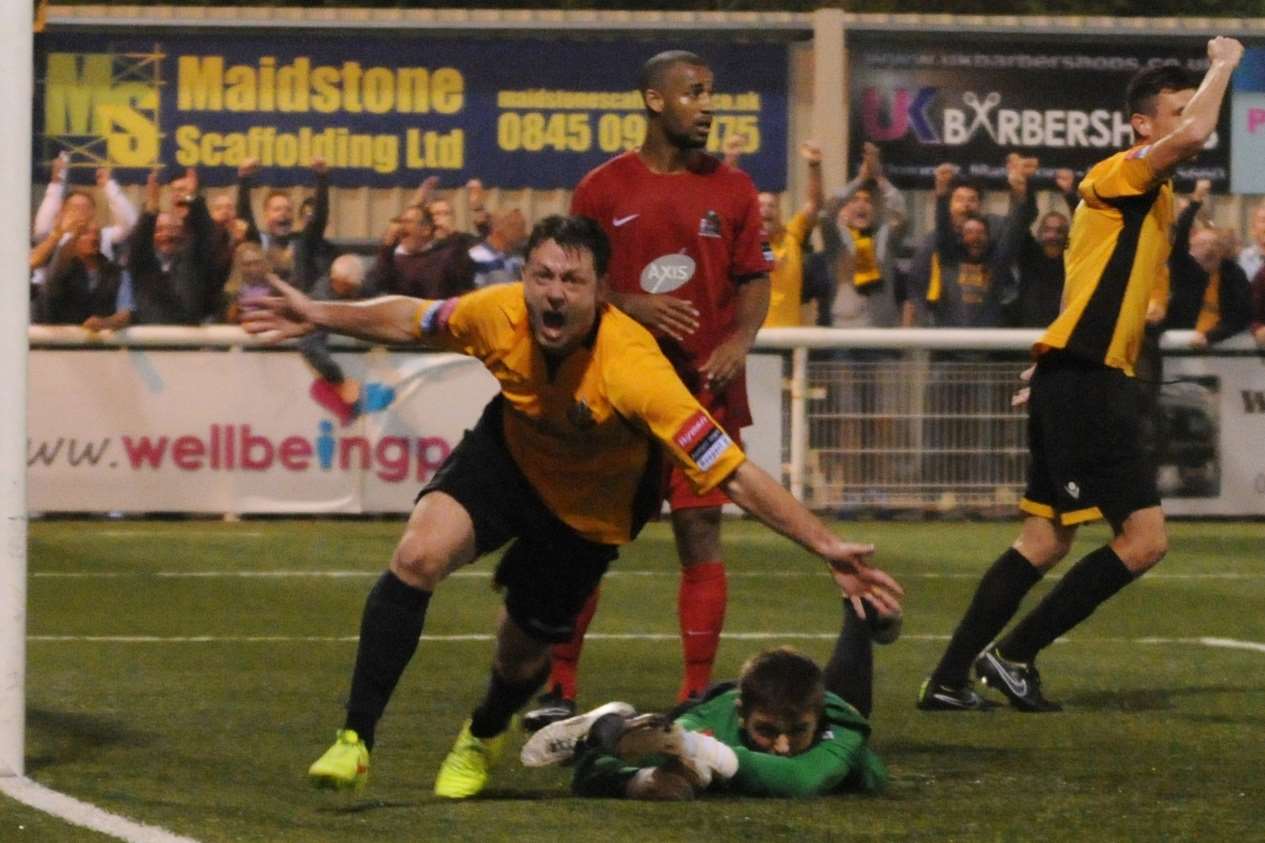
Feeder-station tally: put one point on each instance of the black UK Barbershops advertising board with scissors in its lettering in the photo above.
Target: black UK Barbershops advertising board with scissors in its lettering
(973, 102)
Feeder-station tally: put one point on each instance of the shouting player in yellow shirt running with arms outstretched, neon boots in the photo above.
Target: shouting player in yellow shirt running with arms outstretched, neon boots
(564, 463)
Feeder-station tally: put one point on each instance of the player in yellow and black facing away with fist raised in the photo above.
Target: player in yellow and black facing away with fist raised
(1087, 456)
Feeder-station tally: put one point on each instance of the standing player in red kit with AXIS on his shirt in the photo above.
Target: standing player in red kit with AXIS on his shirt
(690, 261)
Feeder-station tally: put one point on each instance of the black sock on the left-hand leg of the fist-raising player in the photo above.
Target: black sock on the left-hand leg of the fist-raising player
(997, 599)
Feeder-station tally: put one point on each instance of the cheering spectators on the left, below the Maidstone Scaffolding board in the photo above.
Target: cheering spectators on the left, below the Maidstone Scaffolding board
(187, 259)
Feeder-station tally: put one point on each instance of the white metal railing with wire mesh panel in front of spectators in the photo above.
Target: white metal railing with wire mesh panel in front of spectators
(872, 420)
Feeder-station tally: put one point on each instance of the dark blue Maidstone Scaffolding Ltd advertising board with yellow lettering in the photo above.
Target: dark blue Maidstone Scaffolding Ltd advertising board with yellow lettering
(381, 111)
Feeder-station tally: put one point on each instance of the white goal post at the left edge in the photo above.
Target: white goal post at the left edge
(16, 98)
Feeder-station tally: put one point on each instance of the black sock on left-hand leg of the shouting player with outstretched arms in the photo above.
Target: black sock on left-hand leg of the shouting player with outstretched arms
(390, 628)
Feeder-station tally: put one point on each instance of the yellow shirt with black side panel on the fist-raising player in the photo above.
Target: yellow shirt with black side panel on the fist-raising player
(1115, 261)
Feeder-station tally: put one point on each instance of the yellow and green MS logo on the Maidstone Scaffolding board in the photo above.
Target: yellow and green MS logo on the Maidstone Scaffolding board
(104, 107)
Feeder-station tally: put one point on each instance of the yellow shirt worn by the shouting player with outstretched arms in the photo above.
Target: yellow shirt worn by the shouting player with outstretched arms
(583, 437)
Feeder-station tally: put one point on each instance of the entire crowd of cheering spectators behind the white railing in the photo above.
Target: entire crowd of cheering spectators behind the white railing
(188, 259)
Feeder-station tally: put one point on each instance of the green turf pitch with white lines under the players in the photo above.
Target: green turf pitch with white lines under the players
(212, 739)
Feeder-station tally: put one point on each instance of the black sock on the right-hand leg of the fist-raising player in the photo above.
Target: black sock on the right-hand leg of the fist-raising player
(1091, 583)
